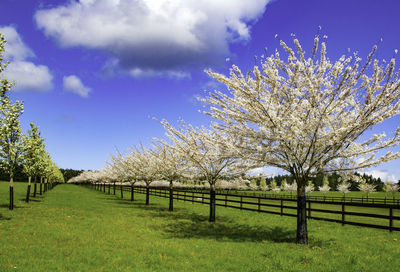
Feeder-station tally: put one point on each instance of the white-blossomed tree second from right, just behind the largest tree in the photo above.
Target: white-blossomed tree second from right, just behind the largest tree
(209, 152)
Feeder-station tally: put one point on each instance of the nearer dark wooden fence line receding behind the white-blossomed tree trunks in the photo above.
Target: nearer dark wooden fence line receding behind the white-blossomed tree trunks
(256, 203)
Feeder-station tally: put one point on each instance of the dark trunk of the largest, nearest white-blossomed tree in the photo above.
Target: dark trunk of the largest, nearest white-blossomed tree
(302, 234)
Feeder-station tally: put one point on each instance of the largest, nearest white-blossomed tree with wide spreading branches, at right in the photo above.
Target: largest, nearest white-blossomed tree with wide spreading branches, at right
(306, 115)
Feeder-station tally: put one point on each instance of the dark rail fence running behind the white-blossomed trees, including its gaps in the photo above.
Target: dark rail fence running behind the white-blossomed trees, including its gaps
(379, 215)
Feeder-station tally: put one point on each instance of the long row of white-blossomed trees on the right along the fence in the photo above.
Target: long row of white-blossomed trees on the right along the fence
(305, 115)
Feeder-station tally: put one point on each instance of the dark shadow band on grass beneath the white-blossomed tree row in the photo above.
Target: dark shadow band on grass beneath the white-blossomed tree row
(183, 223)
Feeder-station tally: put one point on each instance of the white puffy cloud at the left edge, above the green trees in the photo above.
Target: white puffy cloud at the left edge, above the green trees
(26, 75)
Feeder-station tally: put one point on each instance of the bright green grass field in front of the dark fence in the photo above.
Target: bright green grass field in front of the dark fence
(73, 228)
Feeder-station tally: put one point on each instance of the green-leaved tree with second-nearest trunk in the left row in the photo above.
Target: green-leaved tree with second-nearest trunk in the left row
(32, 151)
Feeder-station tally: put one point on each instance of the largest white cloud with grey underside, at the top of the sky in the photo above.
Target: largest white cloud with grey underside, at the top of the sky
(153, 35)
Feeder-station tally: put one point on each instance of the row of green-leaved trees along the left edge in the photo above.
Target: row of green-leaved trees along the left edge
(17, 148)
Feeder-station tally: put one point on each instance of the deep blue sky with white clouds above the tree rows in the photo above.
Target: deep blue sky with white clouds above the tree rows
(92, 73)
